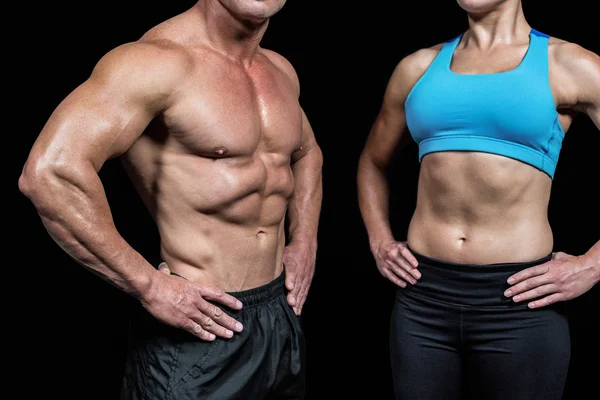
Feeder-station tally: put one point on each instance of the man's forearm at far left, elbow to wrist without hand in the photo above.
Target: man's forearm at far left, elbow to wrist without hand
(73, 207)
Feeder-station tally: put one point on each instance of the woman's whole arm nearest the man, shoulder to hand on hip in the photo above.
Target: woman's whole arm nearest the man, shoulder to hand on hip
(388, 134)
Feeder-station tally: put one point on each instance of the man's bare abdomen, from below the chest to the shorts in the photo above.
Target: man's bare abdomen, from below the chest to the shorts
(221, 221)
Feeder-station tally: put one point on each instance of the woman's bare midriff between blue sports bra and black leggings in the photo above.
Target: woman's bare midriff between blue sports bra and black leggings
(479, 208)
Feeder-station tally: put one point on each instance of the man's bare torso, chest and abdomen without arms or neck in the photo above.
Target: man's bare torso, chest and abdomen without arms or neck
(214, 168)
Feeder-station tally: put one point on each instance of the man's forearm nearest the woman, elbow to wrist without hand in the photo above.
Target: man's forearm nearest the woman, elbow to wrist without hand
(305, 205)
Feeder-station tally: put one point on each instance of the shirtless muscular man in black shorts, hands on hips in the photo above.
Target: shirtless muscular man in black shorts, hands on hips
(211, 132)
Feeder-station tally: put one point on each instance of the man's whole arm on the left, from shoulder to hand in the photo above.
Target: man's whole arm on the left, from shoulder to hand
(98, 121)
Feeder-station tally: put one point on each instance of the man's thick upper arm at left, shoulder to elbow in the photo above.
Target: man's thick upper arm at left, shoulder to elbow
(102, 117)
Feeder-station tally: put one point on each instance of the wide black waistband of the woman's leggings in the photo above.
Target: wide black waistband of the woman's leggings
(467, 284)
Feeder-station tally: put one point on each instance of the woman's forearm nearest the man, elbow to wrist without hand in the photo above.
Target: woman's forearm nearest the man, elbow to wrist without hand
(373, 198)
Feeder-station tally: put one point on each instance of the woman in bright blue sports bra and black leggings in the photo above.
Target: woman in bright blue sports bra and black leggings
(480, 290)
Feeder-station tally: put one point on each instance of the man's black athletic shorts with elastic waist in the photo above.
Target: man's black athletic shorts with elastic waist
(264, 361)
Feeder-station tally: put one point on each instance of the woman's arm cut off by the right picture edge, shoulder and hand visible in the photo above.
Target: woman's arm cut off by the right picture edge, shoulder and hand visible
(565, 276)
